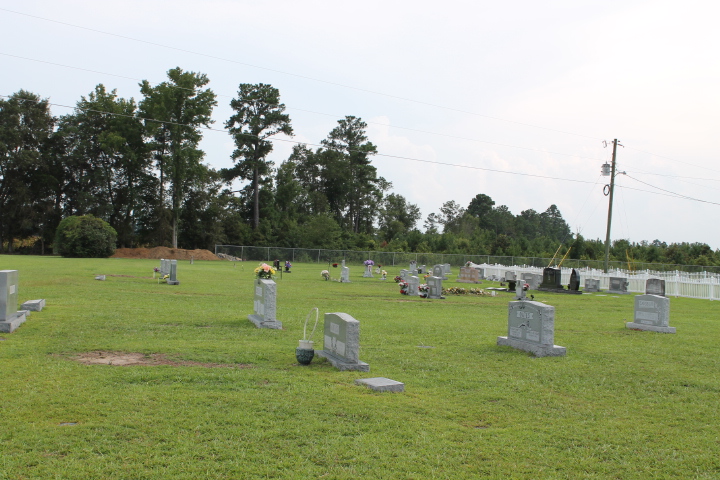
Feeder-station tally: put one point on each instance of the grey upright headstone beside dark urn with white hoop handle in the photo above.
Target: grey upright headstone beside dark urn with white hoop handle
(341, 342)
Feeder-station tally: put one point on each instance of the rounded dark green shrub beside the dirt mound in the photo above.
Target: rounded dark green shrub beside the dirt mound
(86, 237)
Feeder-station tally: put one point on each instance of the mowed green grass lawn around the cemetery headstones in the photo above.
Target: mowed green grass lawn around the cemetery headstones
(622, 404)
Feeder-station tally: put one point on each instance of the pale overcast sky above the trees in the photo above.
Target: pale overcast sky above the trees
(511, 99)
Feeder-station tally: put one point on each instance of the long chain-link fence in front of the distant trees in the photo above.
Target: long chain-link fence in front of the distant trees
(356, 257)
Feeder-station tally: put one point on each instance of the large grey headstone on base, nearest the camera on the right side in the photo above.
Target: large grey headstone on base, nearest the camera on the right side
(531, 327)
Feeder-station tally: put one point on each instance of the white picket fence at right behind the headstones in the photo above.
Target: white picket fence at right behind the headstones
(701, 285)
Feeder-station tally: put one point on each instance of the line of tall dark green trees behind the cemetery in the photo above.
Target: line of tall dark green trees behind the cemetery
(138, 166)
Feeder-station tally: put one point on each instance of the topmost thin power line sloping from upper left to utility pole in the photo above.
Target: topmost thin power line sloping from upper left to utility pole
(420, 102)
